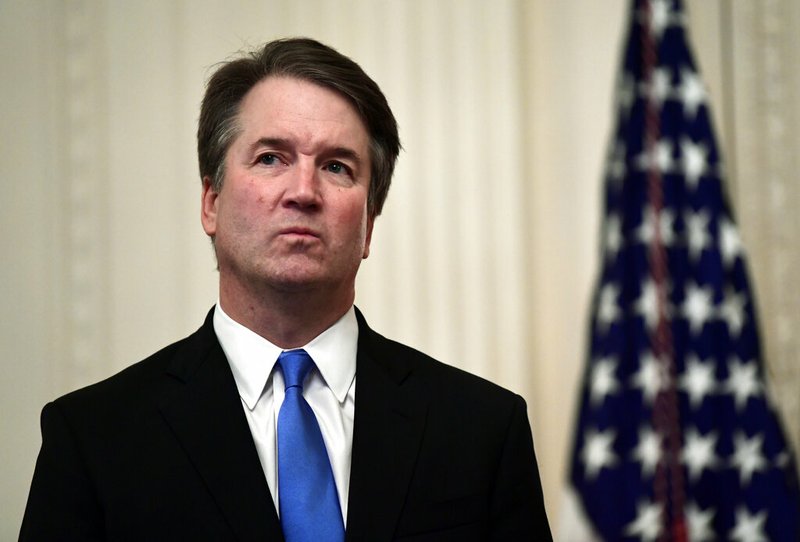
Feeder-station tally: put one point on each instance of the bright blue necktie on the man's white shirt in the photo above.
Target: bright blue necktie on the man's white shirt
(309, 504)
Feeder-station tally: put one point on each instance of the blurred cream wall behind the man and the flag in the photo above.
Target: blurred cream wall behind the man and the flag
(487, 250)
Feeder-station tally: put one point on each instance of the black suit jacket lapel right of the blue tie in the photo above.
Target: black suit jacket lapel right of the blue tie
(390, 412)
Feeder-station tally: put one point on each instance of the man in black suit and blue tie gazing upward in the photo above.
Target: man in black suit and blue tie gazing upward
(253, 427)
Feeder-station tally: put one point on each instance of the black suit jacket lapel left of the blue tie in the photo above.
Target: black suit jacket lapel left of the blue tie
(205, 414)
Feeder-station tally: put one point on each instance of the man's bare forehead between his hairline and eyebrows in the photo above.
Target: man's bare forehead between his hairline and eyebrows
(305, 110)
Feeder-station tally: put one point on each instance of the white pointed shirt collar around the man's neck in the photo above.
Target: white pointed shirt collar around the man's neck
(252, 358)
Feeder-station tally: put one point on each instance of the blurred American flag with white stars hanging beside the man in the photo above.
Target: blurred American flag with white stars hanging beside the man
(676, 437)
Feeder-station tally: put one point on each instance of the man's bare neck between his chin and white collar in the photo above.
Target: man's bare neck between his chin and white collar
(286, 319)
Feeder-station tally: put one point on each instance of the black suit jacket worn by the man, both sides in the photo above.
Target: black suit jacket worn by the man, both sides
(163, 451)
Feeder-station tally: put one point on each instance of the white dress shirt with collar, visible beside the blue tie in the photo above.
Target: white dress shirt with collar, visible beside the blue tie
(330, 391)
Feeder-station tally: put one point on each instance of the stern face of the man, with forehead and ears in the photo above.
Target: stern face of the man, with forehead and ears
(292, 211)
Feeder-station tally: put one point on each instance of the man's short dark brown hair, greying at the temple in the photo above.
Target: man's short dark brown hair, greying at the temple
(311, 61)
